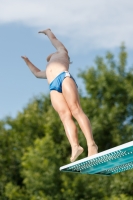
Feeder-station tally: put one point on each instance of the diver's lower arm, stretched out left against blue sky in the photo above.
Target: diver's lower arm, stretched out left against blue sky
(37, 72)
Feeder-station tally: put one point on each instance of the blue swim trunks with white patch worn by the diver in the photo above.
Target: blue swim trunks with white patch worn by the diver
(56, 84)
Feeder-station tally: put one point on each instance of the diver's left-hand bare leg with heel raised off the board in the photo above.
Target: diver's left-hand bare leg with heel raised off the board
(61, 107)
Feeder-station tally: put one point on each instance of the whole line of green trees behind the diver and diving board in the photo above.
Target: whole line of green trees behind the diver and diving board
(33, 145)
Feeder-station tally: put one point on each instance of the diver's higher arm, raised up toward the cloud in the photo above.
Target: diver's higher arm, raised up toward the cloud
(55, 42)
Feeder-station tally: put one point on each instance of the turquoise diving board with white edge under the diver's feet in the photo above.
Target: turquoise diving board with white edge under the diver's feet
(109, 162)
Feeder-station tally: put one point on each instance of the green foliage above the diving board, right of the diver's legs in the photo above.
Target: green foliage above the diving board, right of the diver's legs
(109, 100)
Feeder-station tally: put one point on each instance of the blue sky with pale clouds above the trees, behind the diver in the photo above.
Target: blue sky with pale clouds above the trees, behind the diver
(87, 28)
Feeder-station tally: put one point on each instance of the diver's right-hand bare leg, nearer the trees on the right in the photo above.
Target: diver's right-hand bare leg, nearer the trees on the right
(69, 89)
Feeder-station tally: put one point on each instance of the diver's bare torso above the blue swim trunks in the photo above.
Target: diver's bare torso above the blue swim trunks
(58, 62)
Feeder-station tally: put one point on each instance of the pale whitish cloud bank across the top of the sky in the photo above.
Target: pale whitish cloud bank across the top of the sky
(94, 24)
